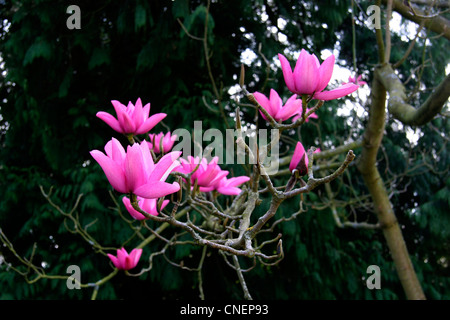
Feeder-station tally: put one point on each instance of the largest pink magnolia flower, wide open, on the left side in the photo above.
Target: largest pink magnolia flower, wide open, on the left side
(135, 171)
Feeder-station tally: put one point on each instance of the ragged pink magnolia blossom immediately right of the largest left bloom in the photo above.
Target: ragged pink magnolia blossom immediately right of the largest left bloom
(209, 176)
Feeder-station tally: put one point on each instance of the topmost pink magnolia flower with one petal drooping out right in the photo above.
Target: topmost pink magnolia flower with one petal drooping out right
(311, 78)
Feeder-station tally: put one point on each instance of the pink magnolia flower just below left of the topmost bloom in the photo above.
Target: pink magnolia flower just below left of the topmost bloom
(274, 105)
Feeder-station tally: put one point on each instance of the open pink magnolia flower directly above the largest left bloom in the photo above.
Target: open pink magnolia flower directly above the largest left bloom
(131, 119)
